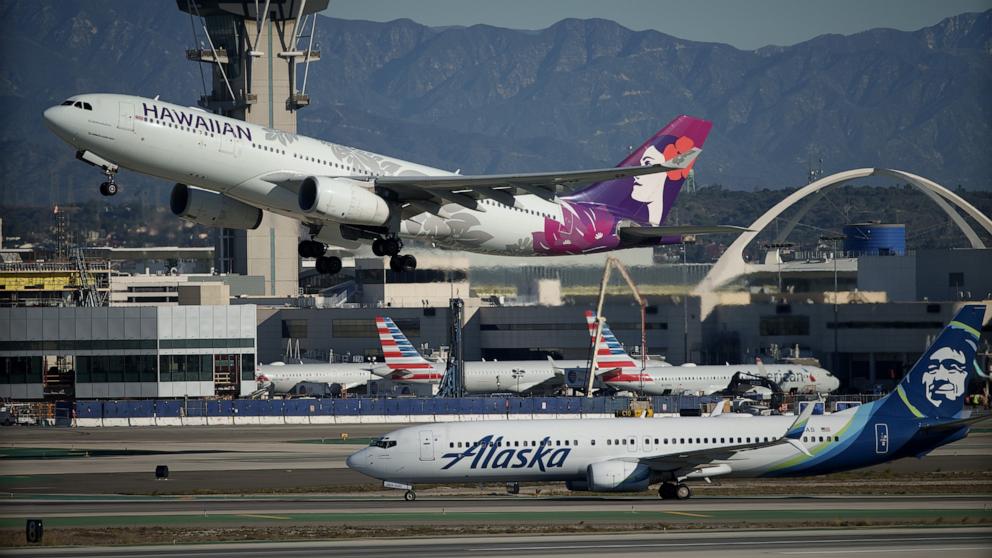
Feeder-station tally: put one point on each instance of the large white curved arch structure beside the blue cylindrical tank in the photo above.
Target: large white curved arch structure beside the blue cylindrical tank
(731, 264)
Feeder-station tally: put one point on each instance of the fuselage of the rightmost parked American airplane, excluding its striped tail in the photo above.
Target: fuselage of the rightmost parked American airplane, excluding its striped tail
(706, 380)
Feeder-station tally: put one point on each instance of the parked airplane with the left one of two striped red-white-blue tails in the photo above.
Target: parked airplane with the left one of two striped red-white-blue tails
(512, 376)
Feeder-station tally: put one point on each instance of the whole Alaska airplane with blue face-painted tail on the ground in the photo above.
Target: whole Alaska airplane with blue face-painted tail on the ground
(925, 411)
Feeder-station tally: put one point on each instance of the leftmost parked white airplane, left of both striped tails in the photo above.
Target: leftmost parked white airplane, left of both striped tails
(348, 375)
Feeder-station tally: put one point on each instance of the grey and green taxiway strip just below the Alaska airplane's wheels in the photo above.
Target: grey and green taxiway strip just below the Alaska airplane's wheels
(490, 511)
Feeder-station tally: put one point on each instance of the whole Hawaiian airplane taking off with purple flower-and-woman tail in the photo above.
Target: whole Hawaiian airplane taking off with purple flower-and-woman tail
(227, 171)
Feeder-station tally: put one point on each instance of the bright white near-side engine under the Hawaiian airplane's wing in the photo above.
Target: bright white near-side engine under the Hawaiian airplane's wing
(342, 200)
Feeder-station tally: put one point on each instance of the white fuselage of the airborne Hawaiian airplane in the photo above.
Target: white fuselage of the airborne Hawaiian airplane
(247, 164)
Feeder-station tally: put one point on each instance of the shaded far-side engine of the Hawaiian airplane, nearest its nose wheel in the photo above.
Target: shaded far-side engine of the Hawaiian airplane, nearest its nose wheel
(212, 209)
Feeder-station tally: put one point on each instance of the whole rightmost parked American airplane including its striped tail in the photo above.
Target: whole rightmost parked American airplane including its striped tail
(699, 380)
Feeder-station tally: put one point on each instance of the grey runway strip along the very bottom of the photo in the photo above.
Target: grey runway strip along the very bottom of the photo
(961, 543)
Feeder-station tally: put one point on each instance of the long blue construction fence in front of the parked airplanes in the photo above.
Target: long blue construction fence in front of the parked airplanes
(368, 406)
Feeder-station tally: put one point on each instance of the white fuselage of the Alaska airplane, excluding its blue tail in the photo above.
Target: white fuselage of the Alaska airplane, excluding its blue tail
(513, 450)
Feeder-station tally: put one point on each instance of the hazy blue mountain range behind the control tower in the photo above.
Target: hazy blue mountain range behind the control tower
(483, 99)
